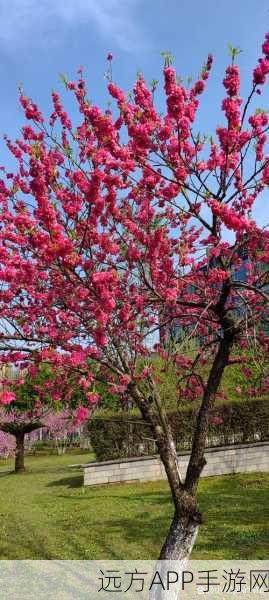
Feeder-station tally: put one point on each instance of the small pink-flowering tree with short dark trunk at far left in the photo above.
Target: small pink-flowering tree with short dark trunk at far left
(33, 403)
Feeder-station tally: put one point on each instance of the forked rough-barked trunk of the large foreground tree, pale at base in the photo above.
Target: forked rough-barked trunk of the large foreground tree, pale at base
(187, 518)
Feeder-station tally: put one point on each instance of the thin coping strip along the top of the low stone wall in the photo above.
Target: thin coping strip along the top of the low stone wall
(157, 456)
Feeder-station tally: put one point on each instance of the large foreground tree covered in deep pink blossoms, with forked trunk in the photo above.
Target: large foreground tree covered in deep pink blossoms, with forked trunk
(117, 226)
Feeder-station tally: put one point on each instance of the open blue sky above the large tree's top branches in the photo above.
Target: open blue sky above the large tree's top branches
(41, 38)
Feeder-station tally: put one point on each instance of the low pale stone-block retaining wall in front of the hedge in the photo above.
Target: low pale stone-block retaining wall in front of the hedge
(242, 458)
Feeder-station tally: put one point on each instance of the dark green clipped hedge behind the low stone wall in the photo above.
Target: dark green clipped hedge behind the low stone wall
(122, 435)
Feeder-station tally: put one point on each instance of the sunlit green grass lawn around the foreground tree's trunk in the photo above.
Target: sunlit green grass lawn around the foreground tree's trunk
(47, 514)
